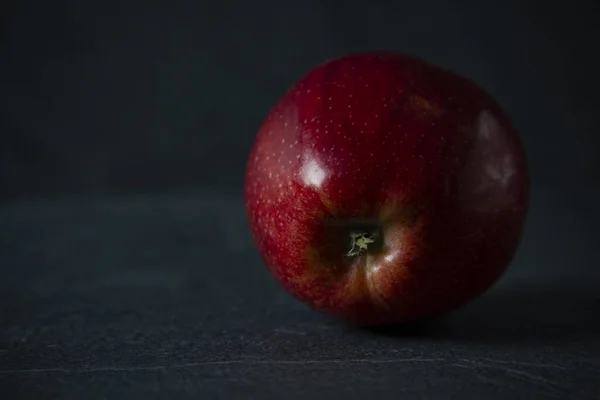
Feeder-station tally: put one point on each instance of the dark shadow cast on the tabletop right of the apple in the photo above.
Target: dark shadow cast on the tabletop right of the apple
(522, 314)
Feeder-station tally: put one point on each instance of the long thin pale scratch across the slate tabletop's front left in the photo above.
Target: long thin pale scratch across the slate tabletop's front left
(223, 362)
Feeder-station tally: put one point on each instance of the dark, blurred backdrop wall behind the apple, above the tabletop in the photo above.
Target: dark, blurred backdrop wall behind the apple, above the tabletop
(110, 96)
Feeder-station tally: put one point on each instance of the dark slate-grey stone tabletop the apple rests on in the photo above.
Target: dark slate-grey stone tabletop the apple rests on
(164, 296)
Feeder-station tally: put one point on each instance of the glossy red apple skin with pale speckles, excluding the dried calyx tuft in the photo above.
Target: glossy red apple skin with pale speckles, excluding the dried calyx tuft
(417, 155)
